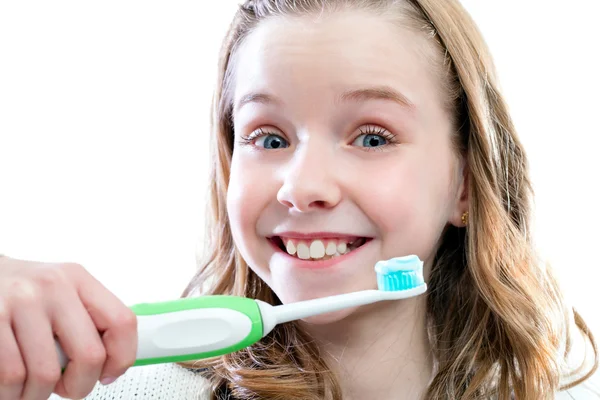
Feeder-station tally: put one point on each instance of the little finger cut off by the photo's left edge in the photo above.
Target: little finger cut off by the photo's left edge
(12, 368)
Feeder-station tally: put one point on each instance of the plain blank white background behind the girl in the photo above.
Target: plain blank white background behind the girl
(104, 112)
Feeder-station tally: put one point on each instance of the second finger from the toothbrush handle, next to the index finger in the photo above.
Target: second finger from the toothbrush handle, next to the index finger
(81, 343)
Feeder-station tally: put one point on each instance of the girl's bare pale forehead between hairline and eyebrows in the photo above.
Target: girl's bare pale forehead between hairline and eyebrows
(332, 54)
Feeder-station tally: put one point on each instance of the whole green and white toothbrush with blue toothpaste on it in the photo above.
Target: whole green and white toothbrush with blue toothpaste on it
(208, 326)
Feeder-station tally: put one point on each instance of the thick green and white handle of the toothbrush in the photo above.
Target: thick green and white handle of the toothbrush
(193, 328)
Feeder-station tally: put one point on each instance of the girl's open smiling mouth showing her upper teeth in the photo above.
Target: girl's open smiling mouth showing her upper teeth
(318, 249)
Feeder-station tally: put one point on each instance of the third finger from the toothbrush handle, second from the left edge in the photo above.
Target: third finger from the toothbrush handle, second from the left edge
(34, 336)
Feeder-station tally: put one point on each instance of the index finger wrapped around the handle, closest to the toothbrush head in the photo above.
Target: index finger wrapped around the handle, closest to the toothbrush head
(115, 320)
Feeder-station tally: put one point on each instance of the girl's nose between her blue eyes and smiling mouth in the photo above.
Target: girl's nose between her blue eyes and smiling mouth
(309, 181)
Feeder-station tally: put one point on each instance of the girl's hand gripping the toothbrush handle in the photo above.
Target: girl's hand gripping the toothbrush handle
(41, 301)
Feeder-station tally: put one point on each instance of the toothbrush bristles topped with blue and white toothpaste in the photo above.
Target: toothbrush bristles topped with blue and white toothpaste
(400, 273)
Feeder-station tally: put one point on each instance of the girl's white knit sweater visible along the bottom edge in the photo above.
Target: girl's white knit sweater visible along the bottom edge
(172, 382)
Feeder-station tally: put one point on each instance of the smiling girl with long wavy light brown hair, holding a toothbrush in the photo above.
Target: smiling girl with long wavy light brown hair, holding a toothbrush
(345, 132)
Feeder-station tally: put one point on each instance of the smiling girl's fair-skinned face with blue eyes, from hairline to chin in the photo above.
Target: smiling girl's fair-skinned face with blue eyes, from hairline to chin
(342, 145)
